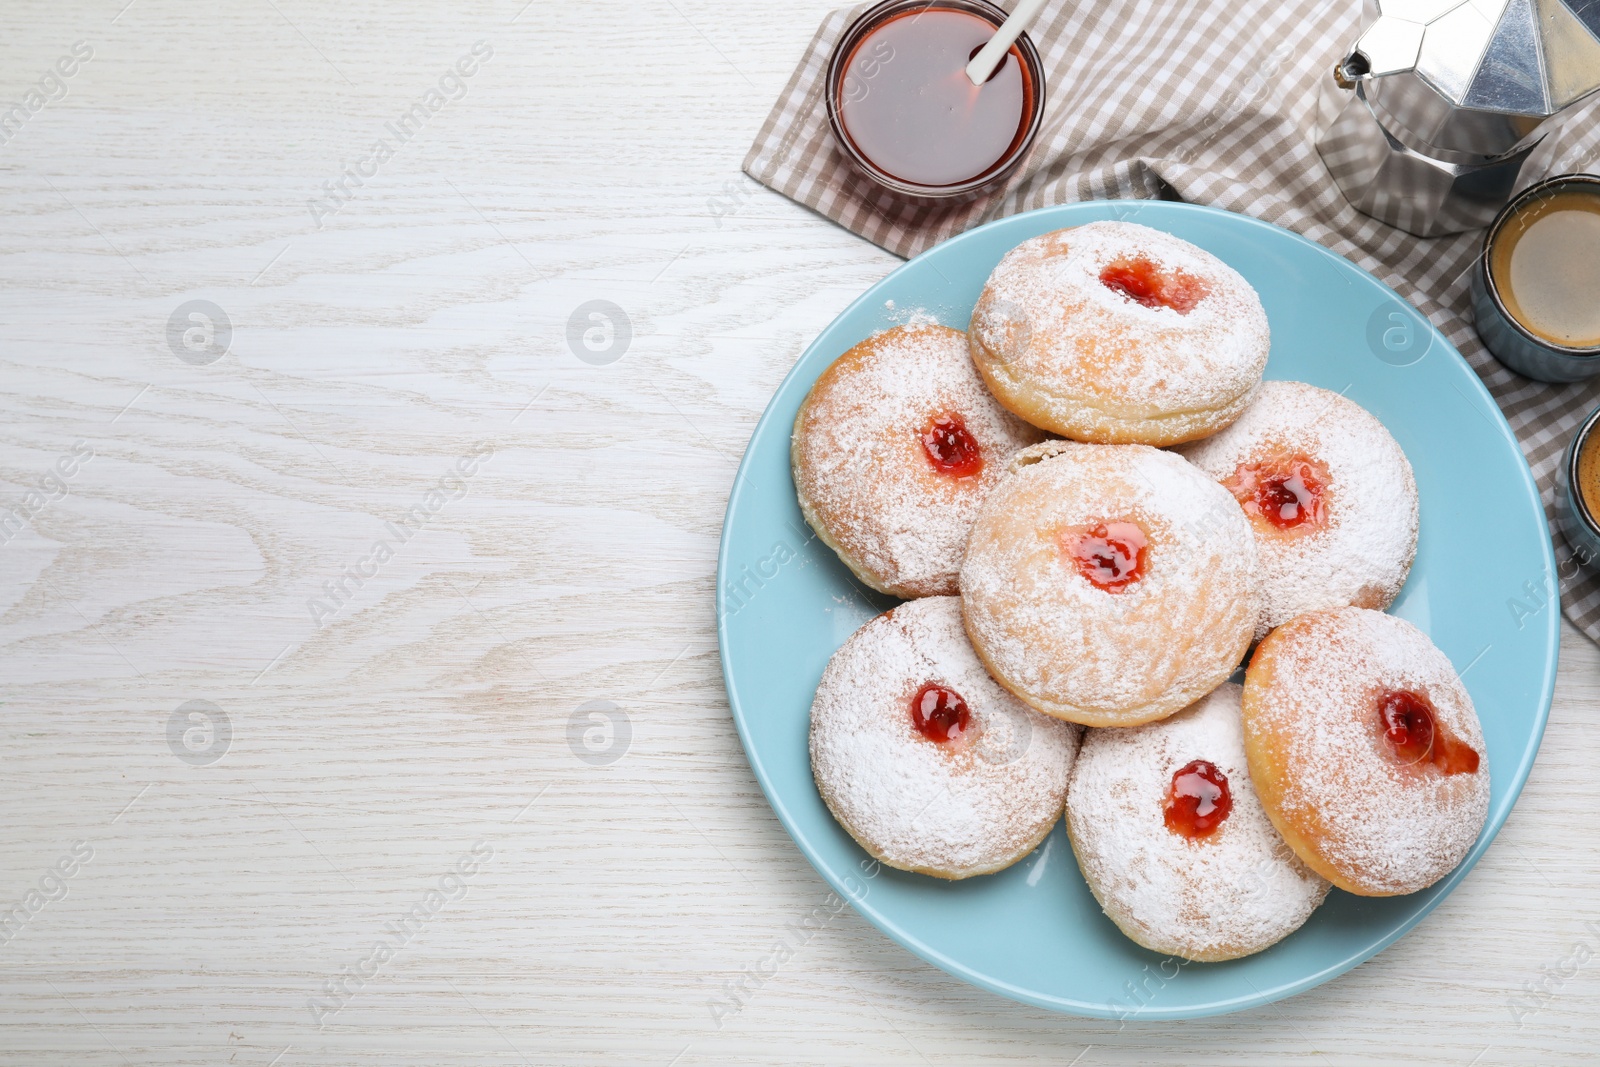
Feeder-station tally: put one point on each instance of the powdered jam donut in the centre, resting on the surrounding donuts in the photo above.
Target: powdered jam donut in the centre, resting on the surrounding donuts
(1110, 585)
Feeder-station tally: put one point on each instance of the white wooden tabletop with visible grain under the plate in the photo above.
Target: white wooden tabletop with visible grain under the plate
(383, 745)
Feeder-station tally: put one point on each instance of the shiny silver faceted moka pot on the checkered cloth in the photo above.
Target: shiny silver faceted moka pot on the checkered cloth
(1446, 100)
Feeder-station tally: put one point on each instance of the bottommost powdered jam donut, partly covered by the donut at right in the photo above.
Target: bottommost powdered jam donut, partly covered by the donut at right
(1174, 842)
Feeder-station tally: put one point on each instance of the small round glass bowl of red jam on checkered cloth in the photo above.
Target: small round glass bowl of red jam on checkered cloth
(905, 113)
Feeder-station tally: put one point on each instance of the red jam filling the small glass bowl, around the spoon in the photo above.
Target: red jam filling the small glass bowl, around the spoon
(910, 110)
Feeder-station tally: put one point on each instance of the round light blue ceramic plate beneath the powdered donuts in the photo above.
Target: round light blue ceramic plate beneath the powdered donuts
(1482, 588)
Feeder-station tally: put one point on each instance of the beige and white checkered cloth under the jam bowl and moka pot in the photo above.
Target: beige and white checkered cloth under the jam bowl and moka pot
(1209, 102)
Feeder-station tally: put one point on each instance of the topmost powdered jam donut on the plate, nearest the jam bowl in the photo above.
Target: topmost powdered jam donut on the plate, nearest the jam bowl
(1116, 334)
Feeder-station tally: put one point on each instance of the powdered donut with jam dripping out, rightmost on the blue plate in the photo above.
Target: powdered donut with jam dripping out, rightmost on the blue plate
(1366, 751)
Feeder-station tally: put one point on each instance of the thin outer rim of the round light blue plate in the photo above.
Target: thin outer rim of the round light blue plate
(956, 969)
